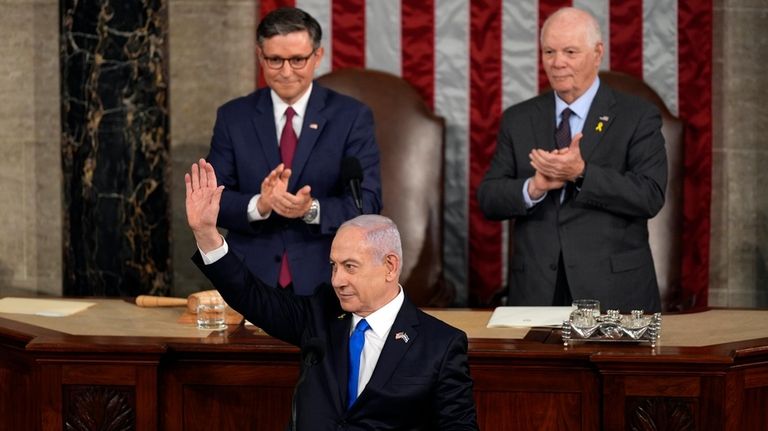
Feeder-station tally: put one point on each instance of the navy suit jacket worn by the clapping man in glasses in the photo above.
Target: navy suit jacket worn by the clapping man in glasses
(244, 150)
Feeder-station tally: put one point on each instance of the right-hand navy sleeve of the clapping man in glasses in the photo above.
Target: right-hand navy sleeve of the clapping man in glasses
(359, 143)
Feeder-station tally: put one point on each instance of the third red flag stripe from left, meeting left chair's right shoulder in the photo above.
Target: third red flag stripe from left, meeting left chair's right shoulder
(418, 47)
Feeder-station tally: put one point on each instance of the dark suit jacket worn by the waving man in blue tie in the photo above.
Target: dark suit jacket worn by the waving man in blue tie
(419, 384)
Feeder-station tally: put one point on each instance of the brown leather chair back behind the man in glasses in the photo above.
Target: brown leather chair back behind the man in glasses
(411, 142)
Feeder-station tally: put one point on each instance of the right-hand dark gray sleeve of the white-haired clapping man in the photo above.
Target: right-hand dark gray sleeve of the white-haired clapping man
(634, 186)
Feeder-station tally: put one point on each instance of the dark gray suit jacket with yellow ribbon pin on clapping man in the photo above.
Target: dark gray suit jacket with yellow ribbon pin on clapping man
(603, 230)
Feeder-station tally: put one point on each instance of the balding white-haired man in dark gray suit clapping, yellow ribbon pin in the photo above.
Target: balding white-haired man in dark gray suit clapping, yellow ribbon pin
(580, 169)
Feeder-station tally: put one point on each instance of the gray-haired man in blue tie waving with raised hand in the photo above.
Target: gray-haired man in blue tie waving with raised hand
(386, 364)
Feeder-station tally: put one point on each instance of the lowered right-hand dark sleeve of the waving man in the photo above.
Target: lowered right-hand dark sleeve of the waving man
(454, 402)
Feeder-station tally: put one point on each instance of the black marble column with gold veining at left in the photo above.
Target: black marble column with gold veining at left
(115, 147)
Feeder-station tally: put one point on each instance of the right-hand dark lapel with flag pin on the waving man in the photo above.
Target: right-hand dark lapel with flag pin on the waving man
(400, 339)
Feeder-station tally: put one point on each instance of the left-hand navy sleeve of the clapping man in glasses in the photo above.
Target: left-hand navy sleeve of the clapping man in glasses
(233, 214)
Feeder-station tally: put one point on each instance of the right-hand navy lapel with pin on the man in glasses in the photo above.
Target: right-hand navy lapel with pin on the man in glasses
(311, 128)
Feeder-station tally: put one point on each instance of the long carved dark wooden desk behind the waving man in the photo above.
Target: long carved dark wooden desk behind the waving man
(243, 379)
